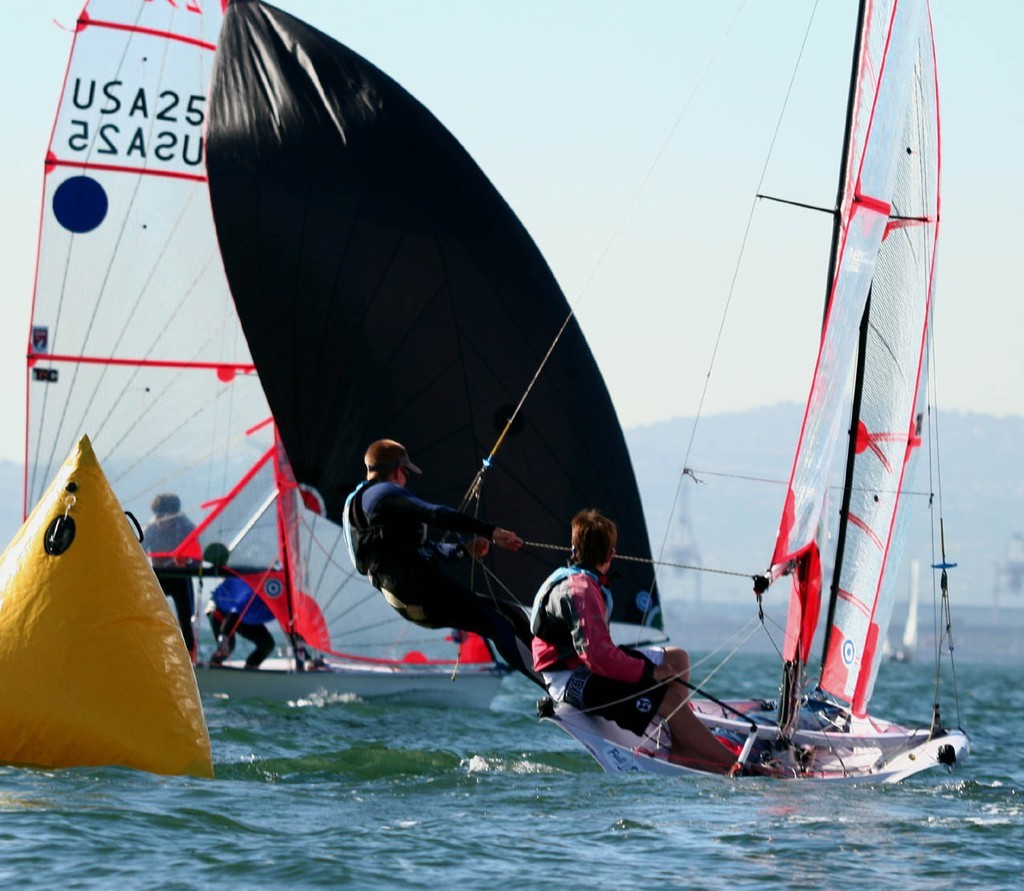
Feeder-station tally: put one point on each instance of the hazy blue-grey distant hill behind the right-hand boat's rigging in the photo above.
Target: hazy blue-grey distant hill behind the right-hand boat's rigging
(730, 522)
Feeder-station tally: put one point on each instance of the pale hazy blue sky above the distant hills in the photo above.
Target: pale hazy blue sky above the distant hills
(631, 139)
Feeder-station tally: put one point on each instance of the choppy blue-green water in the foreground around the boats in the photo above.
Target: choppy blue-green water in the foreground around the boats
(383, 795)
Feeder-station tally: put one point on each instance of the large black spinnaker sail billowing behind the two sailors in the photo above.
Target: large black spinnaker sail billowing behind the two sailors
(387, 289)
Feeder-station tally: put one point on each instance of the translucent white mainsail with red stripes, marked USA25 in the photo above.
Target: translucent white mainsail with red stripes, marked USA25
(135, 335)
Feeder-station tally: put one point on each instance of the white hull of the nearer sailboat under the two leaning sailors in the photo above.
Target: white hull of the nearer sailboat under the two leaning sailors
(865, 751)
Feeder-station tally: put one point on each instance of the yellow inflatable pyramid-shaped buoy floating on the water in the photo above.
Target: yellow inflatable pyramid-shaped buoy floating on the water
(94, 670)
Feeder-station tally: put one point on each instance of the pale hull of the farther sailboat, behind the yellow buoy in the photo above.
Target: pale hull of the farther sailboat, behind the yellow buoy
(277, 681)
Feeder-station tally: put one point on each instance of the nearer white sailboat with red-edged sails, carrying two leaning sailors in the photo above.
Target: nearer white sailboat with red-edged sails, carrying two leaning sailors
(870, 375)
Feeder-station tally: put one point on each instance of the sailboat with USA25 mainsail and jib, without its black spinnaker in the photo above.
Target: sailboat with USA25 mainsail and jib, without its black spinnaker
(136, 341)
